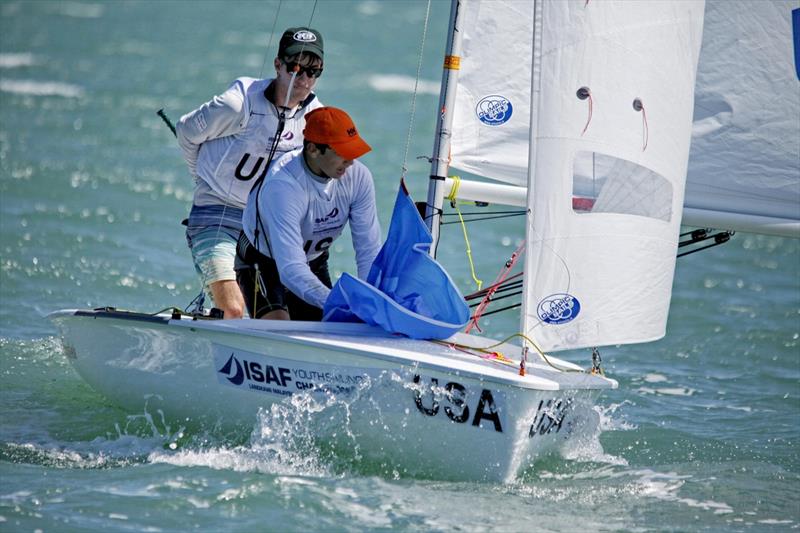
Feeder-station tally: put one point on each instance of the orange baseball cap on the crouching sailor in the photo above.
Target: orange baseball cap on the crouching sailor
(334, 127)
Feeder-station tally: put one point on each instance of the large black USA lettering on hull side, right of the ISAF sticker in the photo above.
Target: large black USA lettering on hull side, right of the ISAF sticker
(482, 408)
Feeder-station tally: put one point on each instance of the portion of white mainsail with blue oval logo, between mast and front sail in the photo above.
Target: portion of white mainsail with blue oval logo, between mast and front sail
(492, 115)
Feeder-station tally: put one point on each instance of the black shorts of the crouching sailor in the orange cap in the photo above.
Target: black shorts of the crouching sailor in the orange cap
(269, 294)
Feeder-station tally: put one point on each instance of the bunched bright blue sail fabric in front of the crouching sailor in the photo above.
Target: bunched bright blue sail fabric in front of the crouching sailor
(406, 291)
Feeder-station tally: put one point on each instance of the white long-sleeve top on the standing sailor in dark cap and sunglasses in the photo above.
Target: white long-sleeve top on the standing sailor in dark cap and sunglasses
(226, 141)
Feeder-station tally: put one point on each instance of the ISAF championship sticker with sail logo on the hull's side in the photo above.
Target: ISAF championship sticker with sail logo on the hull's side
(282, 377)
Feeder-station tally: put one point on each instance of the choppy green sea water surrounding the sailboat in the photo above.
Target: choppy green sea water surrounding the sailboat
(703, 433)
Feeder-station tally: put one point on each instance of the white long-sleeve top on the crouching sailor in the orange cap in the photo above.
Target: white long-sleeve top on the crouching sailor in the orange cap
(303, 214)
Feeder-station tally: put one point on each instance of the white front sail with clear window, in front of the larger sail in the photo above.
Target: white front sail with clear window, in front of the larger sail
(604, 276)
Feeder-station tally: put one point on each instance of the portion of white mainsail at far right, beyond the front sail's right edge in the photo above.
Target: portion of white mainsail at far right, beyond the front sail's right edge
(745, 158)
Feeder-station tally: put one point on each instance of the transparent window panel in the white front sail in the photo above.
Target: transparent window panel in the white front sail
(606, 184)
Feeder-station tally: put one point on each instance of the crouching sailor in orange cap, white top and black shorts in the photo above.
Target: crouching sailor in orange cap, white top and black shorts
(301, 207)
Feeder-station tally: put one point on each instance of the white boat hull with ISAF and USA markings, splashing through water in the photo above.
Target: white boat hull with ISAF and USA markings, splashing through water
(418, 407)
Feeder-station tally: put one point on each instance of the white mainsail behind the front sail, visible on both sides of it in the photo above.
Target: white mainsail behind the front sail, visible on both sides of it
(744, 168)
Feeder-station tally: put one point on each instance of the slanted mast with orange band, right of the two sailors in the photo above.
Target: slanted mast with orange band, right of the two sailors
(441, 145)
